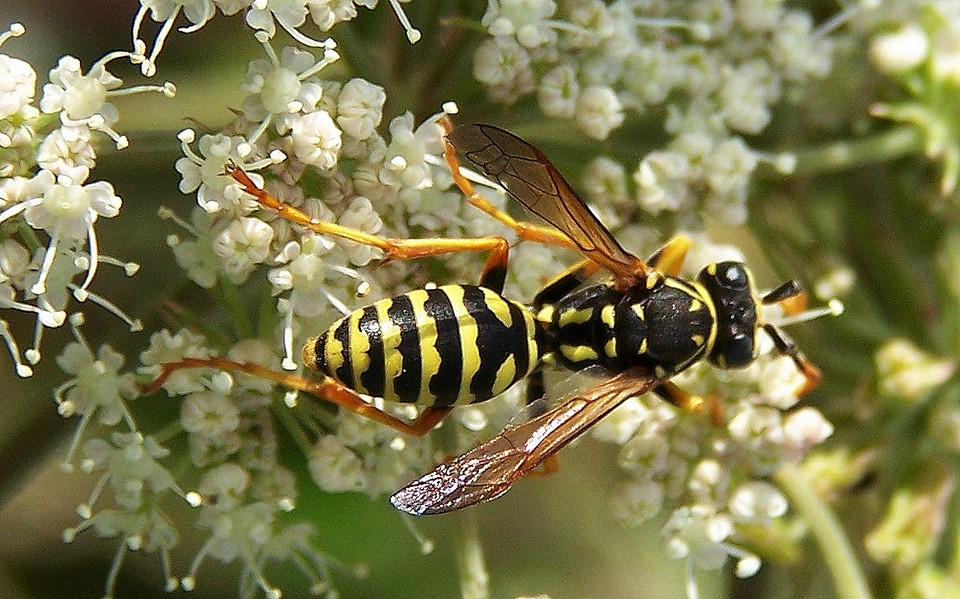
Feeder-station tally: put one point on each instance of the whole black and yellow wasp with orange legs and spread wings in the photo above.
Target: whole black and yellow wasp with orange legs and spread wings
(459, 344)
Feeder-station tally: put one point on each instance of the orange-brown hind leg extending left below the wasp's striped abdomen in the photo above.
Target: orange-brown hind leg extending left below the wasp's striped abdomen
(325, 388)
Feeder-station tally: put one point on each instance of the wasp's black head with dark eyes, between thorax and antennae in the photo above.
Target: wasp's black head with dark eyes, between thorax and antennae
(729, 285)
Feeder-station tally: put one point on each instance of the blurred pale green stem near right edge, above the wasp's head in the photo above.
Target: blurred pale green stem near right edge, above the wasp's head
(899, 141)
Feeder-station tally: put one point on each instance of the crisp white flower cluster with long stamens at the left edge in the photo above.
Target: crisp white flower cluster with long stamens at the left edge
(49, 207)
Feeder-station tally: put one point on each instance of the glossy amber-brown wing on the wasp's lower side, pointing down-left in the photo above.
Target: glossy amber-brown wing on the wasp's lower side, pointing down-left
(487, 471)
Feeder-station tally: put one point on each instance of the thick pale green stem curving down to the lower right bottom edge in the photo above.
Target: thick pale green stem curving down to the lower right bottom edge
(837, 552)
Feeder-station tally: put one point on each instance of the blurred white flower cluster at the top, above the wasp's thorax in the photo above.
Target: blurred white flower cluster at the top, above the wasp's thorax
(714, 68)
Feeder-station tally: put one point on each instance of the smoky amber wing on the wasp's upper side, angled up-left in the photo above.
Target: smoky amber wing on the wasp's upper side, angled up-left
(530, 177)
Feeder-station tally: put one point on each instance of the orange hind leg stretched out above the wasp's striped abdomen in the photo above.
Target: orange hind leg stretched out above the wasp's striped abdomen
(394, 249)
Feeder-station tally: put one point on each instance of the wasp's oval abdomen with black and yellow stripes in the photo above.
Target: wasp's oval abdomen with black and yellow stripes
(447, 345)
